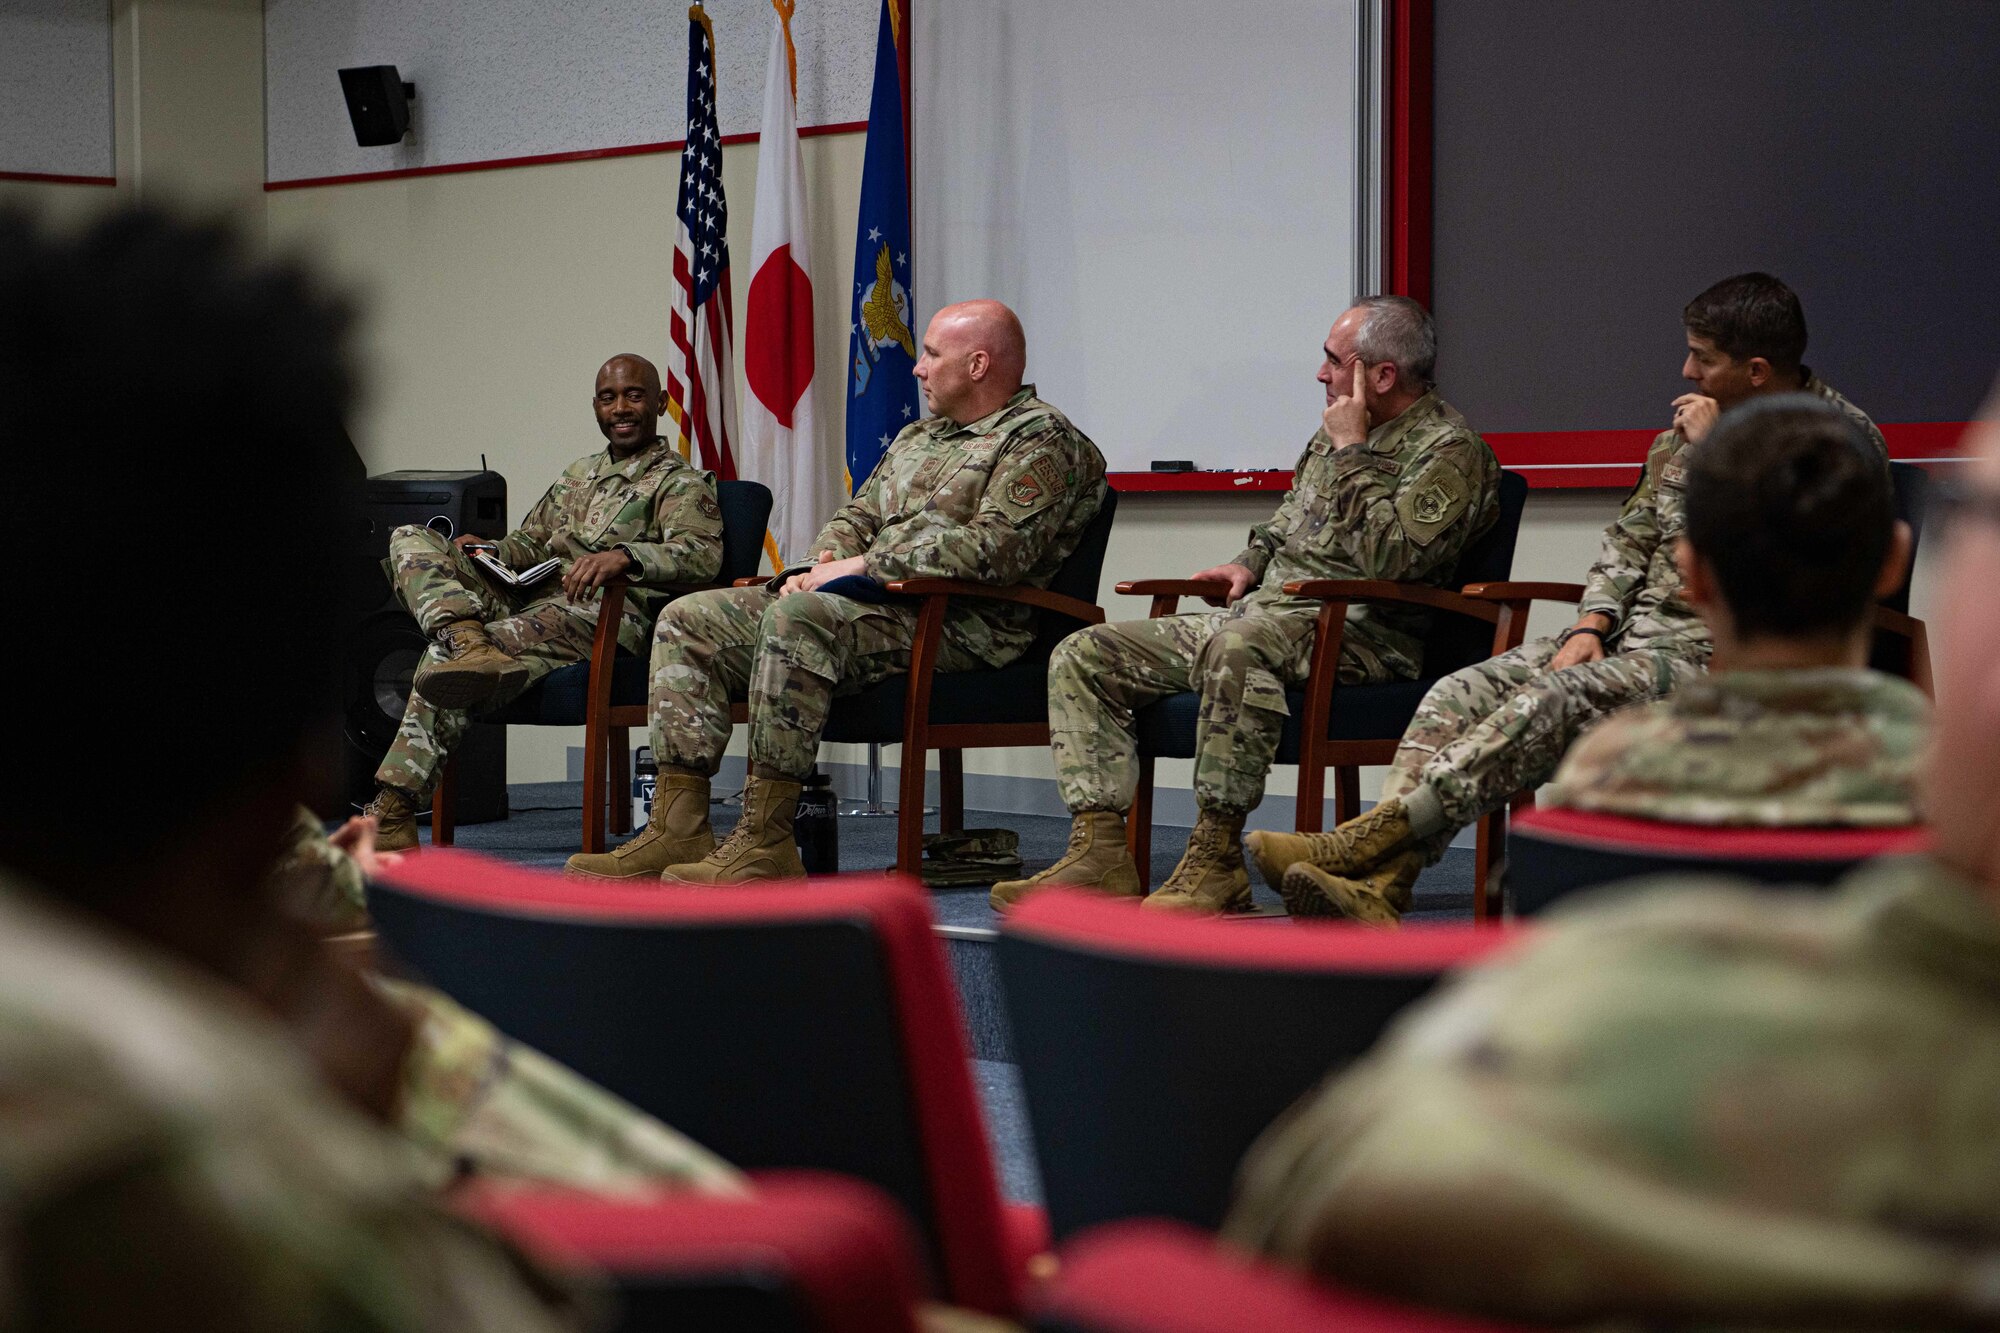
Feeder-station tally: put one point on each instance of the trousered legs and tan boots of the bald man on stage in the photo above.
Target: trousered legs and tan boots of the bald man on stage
(787, 655)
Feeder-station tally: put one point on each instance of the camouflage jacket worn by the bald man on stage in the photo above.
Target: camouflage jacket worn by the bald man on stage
(999, 501)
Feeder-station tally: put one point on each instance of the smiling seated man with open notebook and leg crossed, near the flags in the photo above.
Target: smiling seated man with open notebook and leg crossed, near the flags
(633, 509)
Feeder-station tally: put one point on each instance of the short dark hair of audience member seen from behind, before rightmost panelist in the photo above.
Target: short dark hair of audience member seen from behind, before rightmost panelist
(1793, 511)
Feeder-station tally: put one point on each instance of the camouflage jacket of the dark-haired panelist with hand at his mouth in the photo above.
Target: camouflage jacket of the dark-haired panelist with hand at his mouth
(1635, 579)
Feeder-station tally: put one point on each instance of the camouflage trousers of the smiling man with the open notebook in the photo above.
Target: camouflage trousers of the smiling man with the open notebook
(439, 583)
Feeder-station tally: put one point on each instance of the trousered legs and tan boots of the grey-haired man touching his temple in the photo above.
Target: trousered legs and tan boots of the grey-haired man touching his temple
(1241, 663)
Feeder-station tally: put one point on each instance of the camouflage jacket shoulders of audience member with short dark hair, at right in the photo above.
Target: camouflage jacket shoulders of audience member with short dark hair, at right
(1831, 746)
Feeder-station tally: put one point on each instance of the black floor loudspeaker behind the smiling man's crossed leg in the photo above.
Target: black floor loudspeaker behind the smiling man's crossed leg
(385, 647)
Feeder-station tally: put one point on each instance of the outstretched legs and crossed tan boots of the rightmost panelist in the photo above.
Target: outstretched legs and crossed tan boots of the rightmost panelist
(1479, 738)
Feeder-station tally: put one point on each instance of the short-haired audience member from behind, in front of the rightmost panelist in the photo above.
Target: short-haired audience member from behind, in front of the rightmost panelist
(1791, 541)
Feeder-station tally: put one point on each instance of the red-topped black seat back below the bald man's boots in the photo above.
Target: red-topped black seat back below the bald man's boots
(783, 1028)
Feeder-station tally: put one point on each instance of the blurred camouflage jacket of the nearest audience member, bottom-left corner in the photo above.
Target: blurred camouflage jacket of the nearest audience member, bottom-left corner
(165, 1142)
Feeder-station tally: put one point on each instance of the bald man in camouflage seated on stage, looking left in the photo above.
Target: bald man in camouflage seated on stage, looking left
(997, 487)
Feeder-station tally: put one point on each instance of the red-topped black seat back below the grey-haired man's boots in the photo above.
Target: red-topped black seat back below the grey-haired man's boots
(1157, 1048)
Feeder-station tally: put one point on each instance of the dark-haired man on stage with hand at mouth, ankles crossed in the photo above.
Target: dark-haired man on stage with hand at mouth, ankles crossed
(1499, 728)
